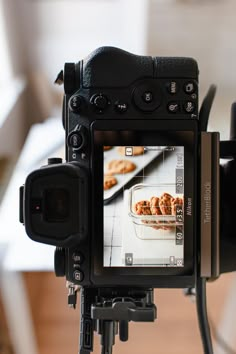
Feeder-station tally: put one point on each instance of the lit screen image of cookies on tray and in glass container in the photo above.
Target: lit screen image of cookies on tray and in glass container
(143, 206)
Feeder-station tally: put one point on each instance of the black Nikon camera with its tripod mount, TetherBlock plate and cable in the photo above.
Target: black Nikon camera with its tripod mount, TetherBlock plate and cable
(136, 204)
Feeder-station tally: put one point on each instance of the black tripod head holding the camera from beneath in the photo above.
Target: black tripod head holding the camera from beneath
(109, 311)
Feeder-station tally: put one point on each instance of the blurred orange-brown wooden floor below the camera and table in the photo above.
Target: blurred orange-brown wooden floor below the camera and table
(174, 332)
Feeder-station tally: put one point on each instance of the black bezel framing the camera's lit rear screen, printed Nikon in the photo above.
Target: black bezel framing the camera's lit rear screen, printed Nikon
(149, 130)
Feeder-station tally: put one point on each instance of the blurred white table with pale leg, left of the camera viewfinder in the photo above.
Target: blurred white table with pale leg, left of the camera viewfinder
(21, 254)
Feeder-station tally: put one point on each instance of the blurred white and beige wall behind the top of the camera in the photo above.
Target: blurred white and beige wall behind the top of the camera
(40, 35)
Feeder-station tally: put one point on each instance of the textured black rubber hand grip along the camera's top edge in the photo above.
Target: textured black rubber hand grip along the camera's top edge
(113, 67)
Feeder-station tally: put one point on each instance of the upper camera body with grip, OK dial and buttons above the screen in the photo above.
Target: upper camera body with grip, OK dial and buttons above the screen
(111, 82)
